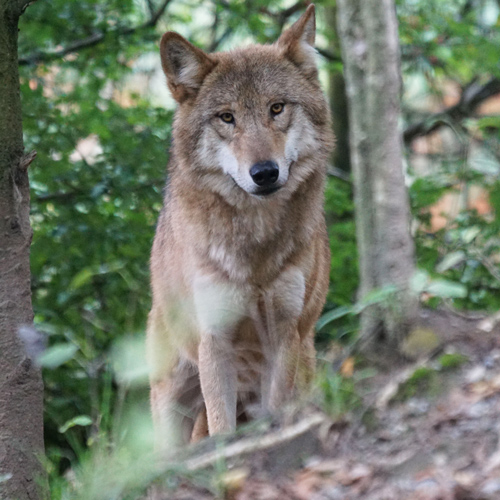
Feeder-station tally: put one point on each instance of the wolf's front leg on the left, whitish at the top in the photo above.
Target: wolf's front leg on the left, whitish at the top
(219, 309)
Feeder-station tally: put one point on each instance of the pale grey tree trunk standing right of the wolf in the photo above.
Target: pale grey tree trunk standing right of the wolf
(370, 51)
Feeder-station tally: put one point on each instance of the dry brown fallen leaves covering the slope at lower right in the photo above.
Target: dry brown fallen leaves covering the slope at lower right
(441, 445)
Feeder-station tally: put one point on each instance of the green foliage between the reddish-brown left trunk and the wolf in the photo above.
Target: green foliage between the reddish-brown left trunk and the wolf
(93, 212)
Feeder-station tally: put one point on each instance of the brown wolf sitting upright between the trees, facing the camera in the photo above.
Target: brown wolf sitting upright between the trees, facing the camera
(240, 259)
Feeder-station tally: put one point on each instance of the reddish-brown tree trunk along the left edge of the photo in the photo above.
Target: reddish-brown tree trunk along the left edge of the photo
(21, 390)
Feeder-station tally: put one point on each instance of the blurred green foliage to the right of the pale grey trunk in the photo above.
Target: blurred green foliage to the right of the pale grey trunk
(446, 42)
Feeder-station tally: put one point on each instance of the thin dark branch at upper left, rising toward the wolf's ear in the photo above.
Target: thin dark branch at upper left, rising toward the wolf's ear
(92, 40)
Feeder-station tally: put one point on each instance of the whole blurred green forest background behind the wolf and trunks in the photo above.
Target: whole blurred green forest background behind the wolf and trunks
(97, 112)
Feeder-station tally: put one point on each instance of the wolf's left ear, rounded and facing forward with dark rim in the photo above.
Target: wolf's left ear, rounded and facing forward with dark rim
(184, 65)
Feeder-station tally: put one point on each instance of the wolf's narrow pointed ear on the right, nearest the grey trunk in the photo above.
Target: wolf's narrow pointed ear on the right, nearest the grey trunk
(298, 42)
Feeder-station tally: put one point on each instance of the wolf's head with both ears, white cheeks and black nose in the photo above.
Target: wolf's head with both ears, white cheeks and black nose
(250, 121)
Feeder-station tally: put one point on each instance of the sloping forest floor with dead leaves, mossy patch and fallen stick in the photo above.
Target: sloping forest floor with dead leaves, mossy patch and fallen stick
(425, 430)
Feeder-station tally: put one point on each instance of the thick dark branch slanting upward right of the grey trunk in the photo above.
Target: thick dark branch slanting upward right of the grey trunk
(472, 96)
